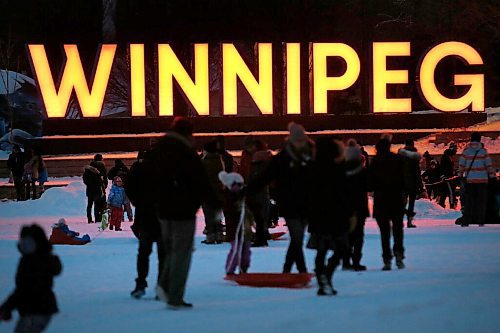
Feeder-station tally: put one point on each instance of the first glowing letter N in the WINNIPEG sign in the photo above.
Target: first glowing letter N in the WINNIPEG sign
(170, 67)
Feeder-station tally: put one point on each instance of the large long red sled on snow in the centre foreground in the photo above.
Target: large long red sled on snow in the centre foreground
(272, 280)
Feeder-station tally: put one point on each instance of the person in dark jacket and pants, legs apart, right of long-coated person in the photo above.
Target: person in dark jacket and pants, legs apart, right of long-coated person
(386, 180)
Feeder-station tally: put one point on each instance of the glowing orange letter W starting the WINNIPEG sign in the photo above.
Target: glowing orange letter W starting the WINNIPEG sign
(56, 102)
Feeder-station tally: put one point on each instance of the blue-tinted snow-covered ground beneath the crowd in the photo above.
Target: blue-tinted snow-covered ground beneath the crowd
(451, 284)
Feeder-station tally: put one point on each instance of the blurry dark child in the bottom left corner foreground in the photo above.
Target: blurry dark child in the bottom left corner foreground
(33, 297)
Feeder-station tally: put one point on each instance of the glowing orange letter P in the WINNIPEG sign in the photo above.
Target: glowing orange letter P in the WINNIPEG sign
(321, 82)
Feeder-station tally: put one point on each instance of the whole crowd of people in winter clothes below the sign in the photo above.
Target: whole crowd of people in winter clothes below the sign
(318, 186)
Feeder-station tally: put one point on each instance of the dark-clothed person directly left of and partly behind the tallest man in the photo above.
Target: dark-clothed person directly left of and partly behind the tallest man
(146, 226)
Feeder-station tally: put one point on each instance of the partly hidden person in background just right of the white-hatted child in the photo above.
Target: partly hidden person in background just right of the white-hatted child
(259, 203)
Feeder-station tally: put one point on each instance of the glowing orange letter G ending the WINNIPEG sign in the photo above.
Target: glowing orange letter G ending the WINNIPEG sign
(475, 95)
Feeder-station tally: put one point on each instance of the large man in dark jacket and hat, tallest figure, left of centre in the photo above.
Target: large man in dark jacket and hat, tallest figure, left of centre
(179, 186)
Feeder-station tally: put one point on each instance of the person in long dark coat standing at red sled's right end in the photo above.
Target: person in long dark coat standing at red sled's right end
(331, 211)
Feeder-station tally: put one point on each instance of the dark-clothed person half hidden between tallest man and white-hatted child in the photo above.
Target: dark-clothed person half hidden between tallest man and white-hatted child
(214, 164)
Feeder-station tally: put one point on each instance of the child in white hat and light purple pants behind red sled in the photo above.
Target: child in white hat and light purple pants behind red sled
(238, 225)
